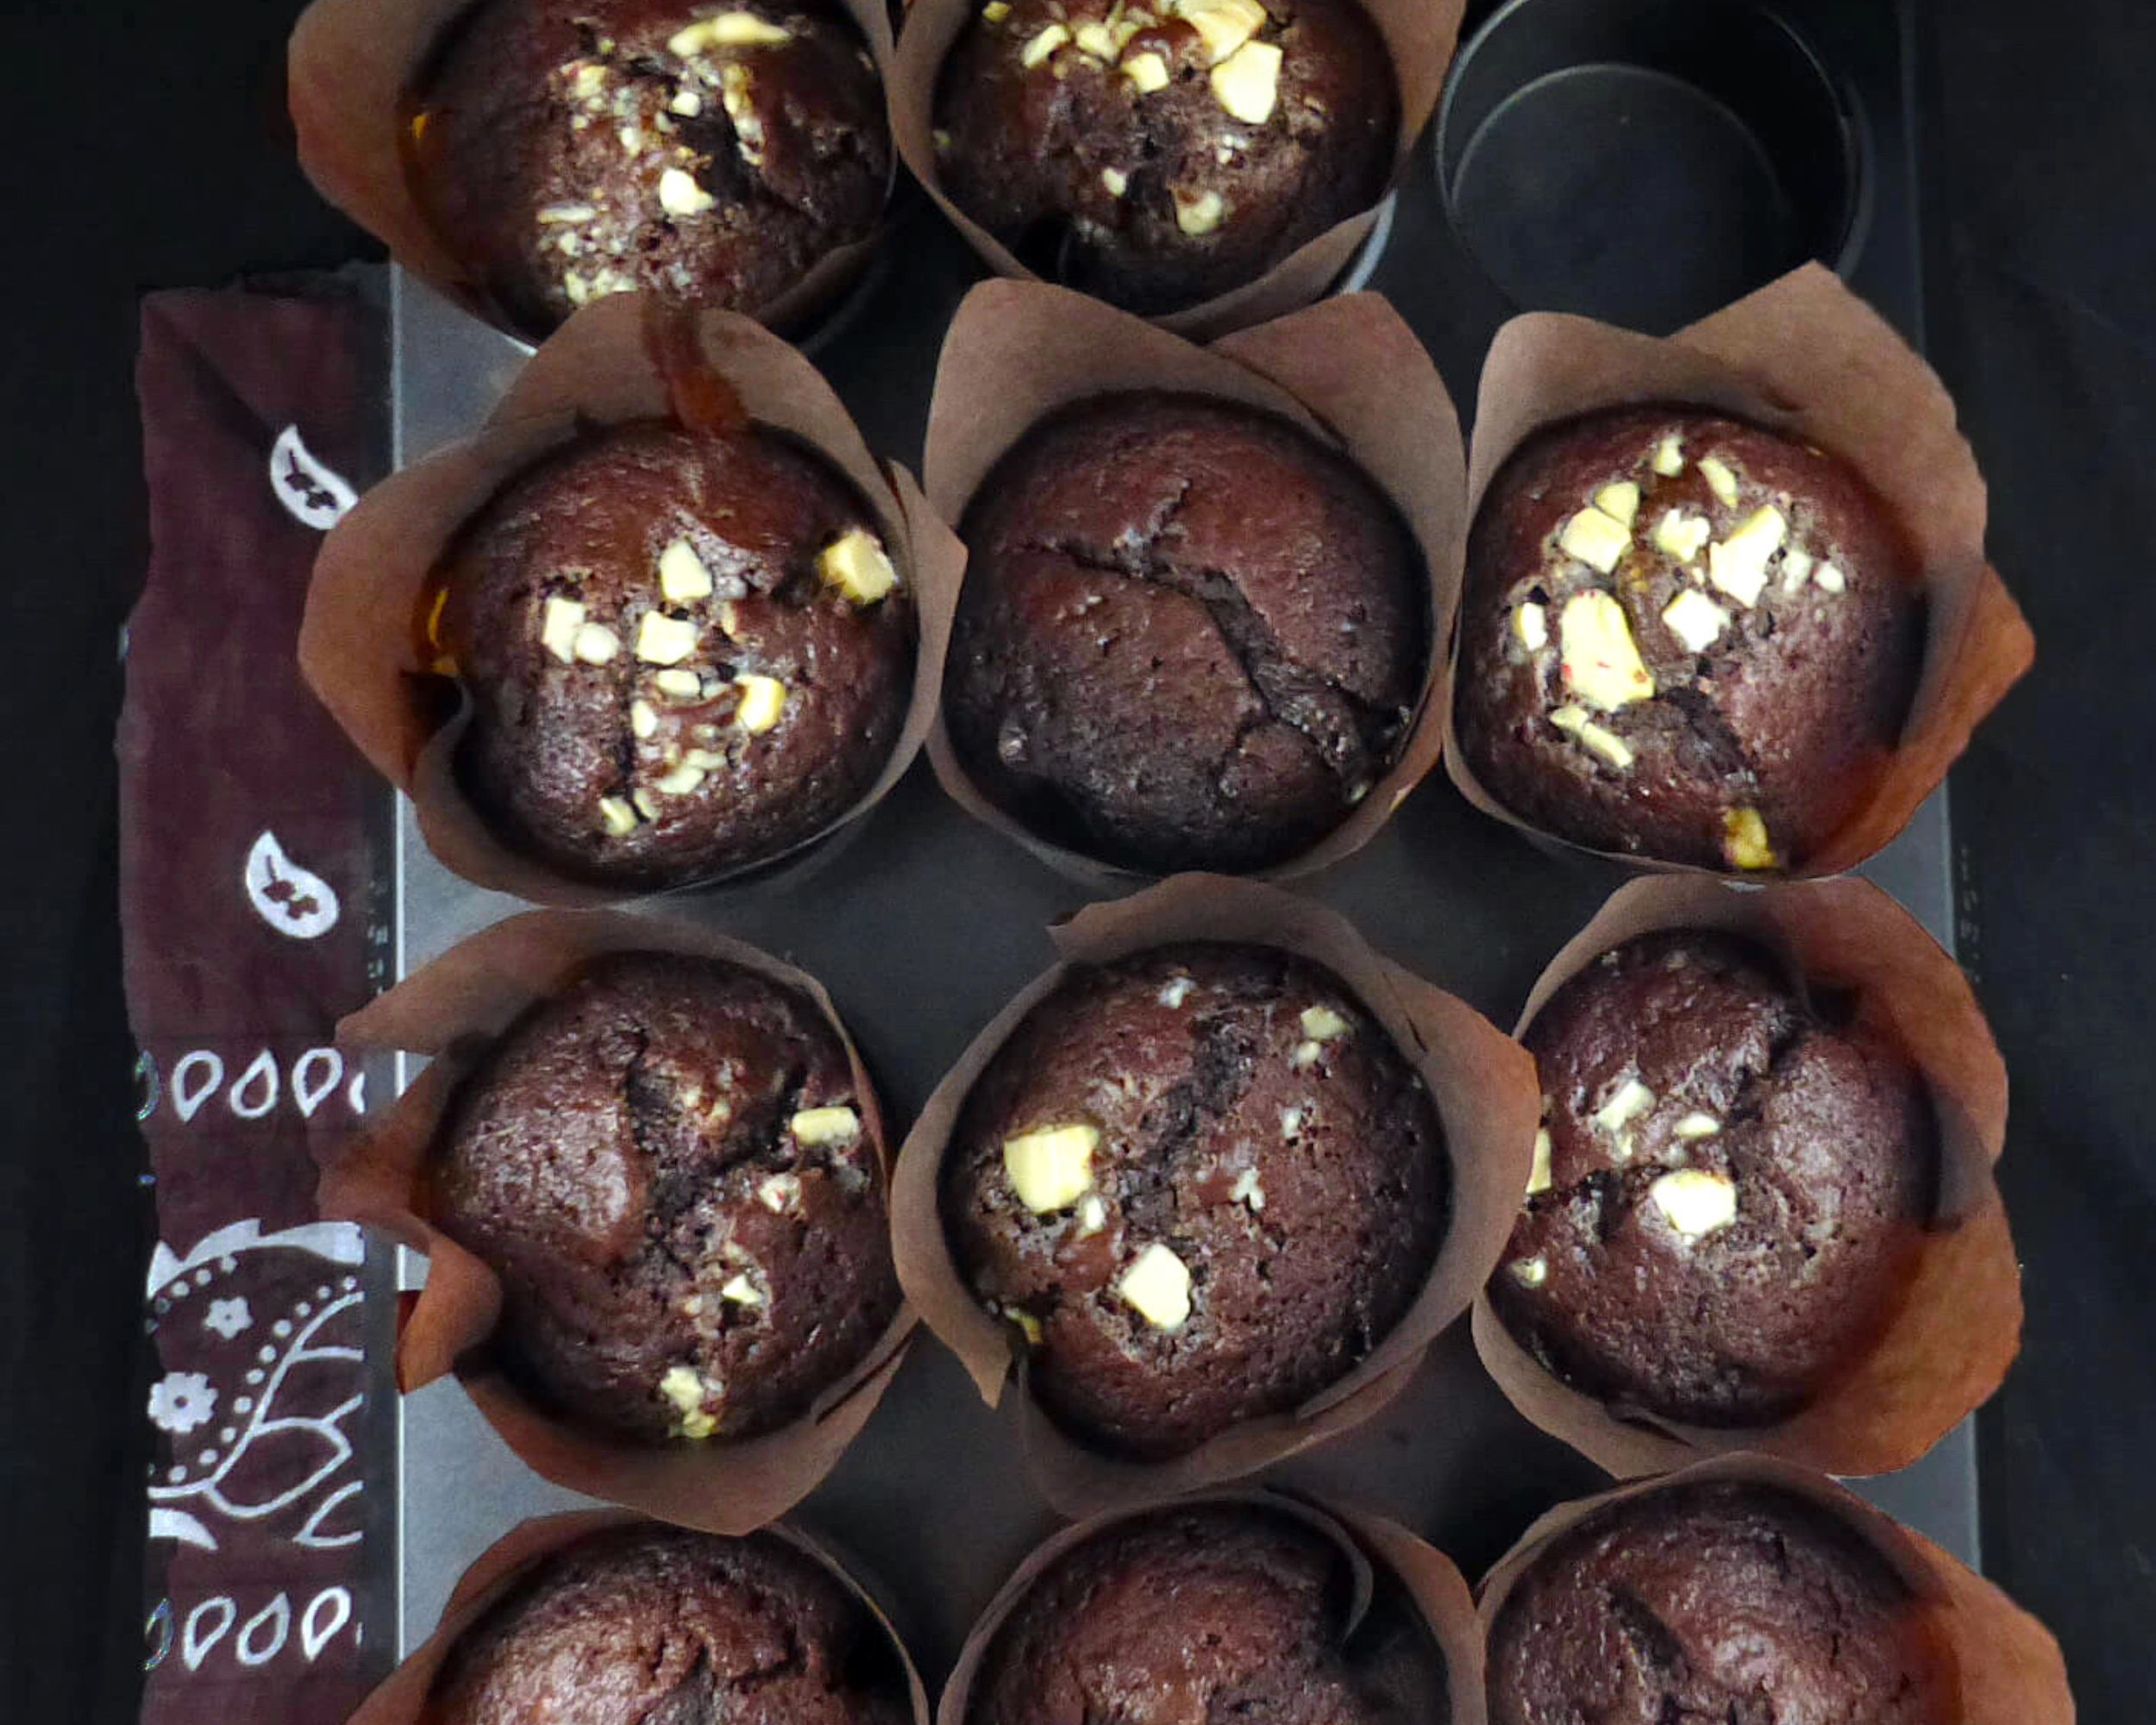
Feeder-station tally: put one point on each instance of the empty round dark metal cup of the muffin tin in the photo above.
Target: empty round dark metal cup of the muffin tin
(1648, 163)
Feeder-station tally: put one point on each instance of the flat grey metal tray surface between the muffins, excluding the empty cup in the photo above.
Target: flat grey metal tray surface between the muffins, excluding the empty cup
(926, 924)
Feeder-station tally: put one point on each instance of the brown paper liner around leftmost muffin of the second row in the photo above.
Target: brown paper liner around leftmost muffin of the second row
(357, 641)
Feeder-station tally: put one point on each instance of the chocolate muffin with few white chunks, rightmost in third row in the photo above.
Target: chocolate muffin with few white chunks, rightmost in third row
(1728, 1189)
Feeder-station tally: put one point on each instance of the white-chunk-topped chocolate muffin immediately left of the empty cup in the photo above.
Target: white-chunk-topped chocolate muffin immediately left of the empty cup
(1167, 152)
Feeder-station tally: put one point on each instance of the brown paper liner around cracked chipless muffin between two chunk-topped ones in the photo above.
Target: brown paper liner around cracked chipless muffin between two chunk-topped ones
(1346, 370)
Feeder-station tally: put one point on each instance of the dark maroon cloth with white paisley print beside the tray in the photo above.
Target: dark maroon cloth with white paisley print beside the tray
(249, 885)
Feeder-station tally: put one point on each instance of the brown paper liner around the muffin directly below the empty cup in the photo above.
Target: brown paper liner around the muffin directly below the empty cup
(1810, 359)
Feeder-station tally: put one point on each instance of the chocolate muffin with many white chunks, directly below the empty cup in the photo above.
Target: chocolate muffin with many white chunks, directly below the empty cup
(1687, 639)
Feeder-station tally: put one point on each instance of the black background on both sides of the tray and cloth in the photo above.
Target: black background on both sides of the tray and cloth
(146, 148)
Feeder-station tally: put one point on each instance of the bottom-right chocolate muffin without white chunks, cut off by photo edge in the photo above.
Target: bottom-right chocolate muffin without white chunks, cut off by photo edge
(1724, 1601)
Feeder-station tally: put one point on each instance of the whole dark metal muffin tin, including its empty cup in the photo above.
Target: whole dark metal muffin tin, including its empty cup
(924, 926)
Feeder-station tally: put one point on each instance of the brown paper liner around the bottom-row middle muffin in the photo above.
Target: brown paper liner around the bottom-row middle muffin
(1422, 1573)
